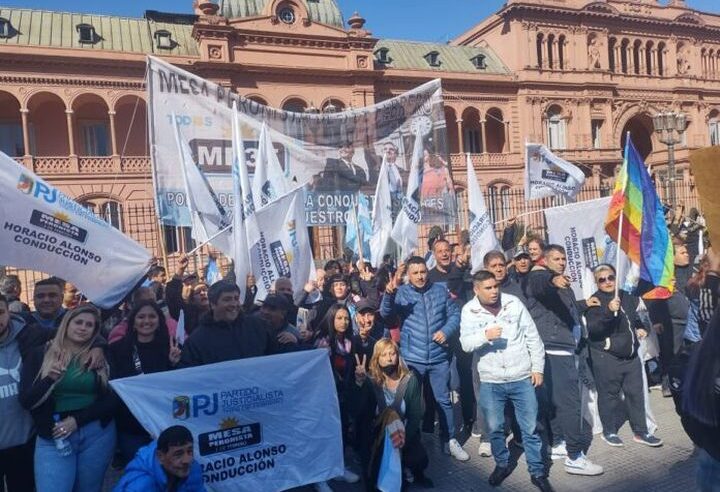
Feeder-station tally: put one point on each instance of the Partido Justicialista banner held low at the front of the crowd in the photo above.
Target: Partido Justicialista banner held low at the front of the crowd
(265, 423)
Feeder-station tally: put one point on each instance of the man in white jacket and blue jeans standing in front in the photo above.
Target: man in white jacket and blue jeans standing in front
(511, 359)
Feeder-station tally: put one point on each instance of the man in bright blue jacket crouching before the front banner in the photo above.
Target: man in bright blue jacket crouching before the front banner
(164, 465)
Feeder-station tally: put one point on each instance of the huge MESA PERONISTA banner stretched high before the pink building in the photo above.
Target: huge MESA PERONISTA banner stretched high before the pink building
(336, 154)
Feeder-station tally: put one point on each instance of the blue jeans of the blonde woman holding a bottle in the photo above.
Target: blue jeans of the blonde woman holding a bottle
(82, 471)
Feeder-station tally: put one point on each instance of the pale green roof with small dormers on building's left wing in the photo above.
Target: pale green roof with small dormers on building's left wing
(126, 34)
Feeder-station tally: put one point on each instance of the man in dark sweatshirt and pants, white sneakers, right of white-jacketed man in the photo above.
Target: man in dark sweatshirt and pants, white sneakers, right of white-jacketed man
(551, 303)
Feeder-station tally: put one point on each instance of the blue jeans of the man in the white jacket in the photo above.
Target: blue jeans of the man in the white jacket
(493, 397)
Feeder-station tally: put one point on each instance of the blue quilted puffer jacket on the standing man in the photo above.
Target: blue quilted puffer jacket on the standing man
(423, 312)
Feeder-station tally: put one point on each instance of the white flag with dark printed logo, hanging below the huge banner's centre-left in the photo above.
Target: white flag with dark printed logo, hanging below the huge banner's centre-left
(283, 248)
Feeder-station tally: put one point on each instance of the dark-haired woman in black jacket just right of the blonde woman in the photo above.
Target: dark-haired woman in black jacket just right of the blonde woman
(143, 350)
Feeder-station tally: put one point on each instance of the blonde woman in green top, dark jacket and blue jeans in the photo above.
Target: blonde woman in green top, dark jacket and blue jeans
(72, 407)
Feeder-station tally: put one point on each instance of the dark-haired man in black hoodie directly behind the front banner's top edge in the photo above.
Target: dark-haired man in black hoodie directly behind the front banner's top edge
(225, 333)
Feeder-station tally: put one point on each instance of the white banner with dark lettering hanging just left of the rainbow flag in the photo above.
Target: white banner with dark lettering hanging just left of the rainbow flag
(580, 228)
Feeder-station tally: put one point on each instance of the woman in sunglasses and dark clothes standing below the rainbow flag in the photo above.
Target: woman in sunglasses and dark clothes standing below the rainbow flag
(613, 329)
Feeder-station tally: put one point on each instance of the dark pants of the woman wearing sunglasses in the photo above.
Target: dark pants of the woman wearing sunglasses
(613, 375)
